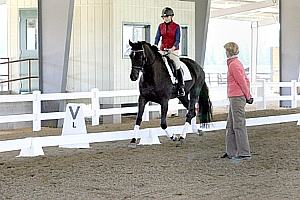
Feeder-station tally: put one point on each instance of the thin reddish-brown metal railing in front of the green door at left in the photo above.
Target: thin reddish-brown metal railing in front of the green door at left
(8, 75)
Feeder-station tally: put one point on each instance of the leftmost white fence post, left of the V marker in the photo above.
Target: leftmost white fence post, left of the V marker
(36, 110)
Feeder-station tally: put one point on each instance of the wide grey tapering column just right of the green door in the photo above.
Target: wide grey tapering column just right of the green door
(54, 31)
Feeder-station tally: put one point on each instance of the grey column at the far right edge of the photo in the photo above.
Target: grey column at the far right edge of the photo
(289, 14)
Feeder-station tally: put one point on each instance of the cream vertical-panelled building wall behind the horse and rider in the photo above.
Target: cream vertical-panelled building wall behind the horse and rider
(96, 42)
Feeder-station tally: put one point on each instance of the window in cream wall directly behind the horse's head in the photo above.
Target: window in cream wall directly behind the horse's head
(134, 32)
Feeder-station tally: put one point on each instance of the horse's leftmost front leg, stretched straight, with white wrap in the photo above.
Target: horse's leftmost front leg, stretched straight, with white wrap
(141, 107)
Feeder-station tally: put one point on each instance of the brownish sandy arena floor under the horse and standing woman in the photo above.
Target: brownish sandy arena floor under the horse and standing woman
(109, 170)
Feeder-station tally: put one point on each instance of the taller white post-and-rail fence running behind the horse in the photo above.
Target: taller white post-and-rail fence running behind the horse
(95, 112)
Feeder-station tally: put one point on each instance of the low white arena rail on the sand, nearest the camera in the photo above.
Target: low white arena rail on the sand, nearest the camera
(33, 146)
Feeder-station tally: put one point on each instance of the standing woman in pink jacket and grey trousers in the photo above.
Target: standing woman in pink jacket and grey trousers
(238, 91)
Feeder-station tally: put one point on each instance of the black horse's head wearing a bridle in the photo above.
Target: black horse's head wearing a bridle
(138, 59)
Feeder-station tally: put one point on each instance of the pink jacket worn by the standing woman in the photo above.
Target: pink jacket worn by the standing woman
(237, 81)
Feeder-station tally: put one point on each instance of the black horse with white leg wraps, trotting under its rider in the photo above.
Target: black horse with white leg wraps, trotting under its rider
(156, 86)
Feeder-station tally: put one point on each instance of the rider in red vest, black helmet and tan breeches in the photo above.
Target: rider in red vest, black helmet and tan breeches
(170, 33)
